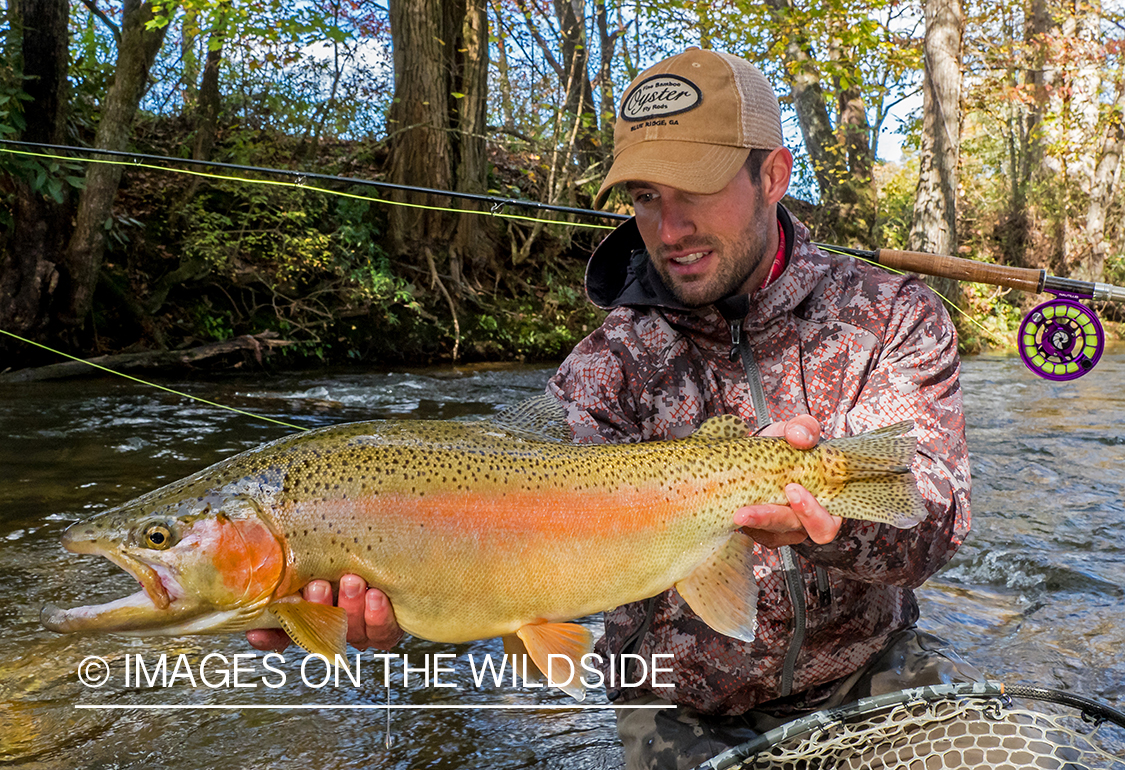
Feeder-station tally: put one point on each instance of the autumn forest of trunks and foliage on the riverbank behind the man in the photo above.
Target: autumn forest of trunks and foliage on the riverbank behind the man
(1011, 155)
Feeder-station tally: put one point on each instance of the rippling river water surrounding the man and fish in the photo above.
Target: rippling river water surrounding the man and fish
(1034, 597)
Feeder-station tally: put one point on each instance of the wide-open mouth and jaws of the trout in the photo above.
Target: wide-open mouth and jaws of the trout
(145, 610)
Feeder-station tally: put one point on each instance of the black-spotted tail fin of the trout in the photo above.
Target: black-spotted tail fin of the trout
(875, 472)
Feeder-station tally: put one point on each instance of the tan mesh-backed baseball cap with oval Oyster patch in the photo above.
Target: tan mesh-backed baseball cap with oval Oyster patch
(691, 121)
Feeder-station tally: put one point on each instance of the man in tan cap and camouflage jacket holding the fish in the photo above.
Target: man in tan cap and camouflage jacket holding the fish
(721, 305)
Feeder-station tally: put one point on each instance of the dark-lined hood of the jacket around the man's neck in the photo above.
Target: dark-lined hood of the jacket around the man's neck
(620, 274)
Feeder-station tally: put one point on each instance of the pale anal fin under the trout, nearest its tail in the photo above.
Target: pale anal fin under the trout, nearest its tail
(723, 590)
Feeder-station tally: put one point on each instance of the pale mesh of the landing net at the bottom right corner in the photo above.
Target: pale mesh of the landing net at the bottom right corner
(944, 729)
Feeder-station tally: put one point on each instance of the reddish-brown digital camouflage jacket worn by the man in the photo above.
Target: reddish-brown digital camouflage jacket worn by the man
(850, 344)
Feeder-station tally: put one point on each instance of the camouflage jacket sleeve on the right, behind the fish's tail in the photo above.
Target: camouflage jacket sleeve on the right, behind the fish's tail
(915, 378)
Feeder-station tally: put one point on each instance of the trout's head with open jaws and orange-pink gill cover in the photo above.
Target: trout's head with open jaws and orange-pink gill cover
(206, 565)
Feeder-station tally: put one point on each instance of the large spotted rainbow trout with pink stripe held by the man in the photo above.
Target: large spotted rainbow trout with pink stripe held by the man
(473, 530)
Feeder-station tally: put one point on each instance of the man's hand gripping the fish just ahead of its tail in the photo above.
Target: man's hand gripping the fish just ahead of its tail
(775, 526)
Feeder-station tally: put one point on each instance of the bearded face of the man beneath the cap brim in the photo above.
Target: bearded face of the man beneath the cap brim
(707, 247)
